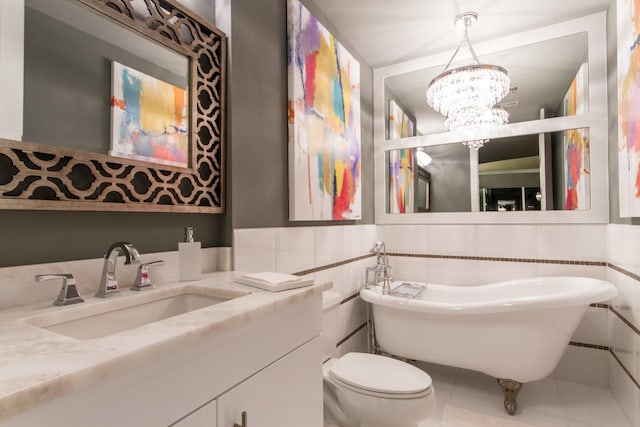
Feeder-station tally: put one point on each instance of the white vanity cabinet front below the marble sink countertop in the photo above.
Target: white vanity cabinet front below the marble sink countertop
(266, 362)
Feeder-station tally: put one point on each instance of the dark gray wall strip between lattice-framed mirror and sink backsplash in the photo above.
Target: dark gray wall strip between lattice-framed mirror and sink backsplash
(31, 237)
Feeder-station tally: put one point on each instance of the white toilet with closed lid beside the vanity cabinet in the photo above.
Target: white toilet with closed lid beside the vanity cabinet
(368, 390)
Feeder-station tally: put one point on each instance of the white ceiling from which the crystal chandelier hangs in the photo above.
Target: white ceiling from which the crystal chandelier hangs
(386, 32)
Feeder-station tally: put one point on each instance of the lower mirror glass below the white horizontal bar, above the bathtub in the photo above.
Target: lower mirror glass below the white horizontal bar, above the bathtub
(540, 172)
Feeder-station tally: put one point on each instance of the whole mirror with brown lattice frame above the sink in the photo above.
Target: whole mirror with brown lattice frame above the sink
(120, 106)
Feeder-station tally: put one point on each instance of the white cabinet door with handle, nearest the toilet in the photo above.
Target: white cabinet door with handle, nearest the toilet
(287, 393)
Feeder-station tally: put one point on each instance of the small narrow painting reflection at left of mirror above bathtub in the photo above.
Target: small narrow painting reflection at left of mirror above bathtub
(401, 187)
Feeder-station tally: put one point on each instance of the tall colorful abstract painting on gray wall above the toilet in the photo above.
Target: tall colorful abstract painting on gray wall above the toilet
(323, 122)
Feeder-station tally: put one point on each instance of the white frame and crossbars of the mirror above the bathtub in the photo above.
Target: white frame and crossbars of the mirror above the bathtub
(596, 119)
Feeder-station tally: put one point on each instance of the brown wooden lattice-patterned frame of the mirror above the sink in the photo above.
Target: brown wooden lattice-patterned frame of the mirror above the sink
(51, 178)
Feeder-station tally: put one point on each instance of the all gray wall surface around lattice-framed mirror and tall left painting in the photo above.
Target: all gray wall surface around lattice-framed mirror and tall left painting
(256, 192)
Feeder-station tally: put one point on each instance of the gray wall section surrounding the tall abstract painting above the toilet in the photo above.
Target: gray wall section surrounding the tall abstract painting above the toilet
(258, 100)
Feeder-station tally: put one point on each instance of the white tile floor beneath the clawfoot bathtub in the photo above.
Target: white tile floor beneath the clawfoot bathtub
(471, 399)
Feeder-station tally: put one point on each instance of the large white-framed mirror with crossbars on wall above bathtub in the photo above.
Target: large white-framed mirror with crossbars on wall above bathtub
(548, 164)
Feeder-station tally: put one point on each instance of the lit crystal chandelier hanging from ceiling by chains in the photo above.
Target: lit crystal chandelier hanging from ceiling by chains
(467, 95)
